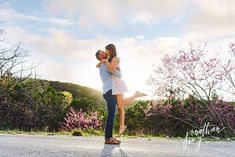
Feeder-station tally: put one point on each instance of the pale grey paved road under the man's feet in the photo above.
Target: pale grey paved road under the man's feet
(69, 146)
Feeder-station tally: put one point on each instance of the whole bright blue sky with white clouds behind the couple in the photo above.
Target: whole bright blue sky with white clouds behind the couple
(62, 36)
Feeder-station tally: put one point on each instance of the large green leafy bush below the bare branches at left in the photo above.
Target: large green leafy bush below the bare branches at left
(32, 105)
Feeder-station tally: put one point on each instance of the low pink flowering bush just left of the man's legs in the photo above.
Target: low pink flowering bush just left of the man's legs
(80, 120)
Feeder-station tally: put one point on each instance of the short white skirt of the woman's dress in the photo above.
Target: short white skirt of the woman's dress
(118, 84)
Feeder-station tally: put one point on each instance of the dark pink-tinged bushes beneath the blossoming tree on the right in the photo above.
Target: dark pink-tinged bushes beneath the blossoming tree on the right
(174, 117)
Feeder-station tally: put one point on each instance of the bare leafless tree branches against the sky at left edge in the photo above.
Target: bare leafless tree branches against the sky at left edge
(13, 68)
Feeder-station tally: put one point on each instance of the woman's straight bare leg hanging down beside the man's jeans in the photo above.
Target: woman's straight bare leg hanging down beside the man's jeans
(121, 111)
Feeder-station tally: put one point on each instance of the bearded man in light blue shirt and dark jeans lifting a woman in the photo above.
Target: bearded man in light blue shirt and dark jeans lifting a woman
(110, 99)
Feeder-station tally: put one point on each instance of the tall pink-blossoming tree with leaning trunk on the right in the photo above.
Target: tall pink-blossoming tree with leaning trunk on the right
(192, 72)
